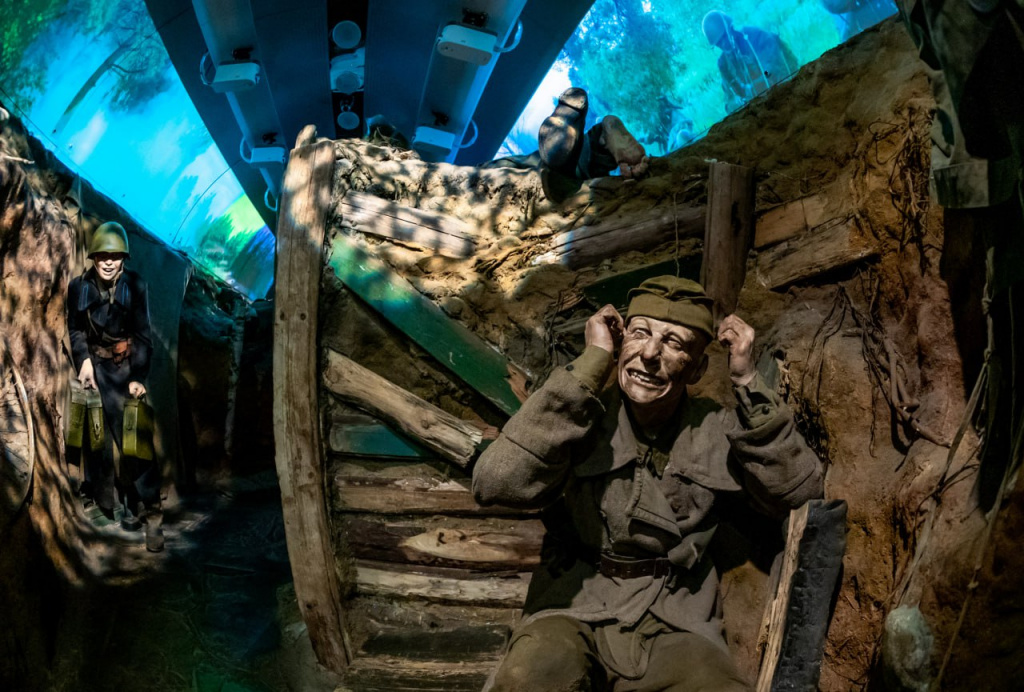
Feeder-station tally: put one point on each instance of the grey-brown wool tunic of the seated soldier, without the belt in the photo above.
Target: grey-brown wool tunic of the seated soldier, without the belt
(569, 446)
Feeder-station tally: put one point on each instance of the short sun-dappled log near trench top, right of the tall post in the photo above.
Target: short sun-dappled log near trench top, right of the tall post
(445, 235)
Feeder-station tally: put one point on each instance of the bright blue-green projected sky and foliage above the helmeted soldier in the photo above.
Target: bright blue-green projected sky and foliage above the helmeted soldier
(93, 80)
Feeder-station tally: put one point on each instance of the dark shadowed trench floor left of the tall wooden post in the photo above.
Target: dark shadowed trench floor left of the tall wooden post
(218, 614)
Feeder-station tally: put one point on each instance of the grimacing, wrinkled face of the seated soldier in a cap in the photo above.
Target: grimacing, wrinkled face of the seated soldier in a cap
(658, 361)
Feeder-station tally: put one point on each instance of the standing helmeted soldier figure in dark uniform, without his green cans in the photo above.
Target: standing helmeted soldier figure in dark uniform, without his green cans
(109, 325)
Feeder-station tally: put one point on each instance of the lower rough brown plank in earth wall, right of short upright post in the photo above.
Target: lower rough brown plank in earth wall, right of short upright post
(813, 254)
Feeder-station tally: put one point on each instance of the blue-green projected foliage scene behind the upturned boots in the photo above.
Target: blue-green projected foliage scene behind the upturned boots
(650, 63)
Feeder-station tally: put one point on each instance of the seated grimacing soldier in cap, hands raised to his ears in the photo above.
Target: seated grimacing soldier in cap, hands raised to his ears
(628, 470)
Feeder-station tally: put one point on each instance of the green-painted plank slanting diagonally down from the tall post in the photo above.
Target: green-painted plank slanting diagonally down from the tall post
(468, 357)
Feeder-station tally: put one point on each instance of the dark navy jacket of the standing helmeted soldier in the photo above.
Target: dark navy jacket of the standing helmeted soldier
(97, 321)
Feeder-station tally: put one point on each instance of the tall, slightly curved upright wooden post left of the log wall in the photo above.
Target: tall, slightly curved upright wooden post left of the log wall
(296, 415)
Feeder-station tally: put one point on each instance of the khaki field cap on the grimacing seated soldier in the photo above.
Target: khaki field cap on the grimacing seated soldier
(676, 300)
